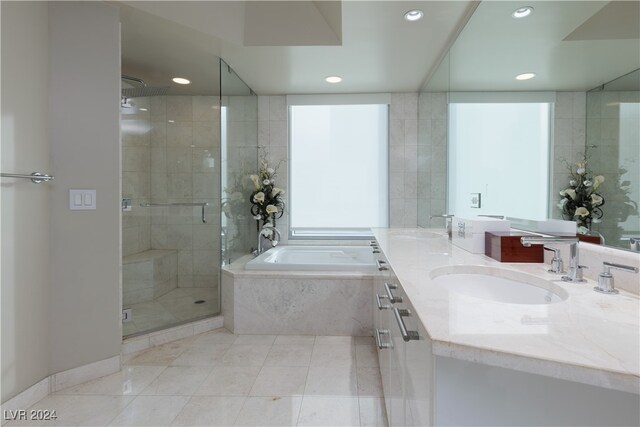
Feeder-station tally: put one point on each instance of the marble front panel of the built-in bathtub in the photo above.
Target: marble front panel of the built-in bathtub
(289, 303)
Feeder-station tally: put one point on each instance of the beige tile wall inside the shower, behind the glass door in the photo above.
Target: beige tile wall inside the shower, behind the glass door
(171, 155)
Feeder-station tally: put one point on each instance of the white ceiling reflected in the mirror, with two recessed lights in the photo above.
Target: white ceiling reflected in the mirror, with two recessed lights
(570, 45)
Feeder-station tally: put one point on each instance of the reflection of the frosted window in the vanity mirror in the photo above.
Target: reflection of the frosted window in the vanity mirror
(502, 152)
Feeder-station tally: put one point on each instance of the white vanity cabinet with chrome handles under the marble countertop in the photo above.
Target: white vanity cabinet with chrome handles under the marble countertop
(423, 387)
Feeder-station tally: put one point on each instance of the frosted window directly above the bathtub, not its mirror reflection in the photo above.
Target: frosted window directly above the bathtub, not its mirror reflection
(338, 167)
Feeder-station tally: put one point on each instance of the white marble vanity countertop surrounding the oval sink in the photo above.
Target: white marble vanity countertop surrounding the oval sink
(589, 338)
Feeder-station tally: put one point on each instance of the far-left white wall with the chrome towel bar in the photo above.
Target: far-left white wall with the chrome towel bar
(24, 214)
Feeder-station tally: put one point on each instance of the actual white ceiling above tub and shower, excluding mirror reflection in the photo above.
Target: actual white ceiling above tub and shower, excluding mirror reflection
(373, 50)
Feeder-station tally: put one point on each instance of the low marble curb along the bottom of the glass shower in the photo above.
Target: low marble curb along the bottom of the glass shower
(143, 342)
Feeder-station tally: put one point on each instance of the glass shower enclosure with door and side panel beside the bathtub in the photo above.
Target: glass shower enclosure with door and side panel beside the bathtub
(181, 149)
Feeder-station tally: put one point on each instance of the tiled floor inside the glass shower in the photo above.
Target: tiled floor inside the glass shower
(174, 307)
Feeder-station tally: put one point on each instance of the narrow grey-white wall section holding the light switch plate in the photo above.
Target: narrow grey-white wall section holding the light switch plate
(84, 43)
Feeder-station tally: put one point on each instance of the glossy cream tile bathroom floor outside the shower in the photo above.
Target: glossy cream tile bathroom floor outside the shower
(221, 379)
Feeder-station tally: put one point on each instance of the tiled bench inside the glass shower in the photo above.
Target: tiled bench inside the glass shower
(148, 275)
